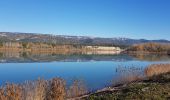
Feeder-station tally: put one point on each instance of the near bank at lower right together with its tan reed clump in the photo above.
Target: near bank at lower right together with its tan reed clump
(157, 75)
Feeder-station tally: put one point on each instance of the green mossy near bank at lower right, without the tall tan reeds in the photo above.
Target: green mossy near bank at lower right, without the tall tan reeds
(145, 85)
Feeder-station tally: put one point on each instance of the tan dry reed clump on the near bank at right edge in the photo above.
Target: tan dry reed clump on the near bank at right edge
(156, 69)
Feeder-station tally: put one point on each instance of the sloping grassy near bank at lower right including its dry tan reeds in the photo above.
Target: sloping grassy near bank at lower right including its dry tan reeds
(155, 87)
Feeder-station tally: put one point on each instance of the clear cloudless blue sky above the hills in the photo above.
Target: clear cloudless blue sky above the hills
(147, 19)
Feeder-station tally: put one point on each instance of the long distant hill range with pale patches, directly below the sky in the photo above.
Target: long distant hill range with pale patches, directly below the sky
(63, 39)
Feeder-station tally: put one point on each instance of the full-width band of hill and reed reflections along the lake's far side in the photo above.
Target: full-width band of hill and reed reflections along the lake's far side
(75, 56)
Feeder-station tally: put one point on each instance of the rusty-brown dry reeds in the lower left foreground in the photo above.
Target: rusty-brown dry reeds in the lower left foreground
(54, 89)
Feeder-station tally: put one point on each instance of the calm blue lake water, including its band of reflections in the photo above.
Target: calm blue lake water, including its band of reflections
(96, 71)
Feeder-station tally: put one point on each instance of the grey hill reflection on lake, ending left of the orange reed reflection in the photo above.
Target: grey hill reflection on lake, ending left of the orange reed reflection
(48, 57)
